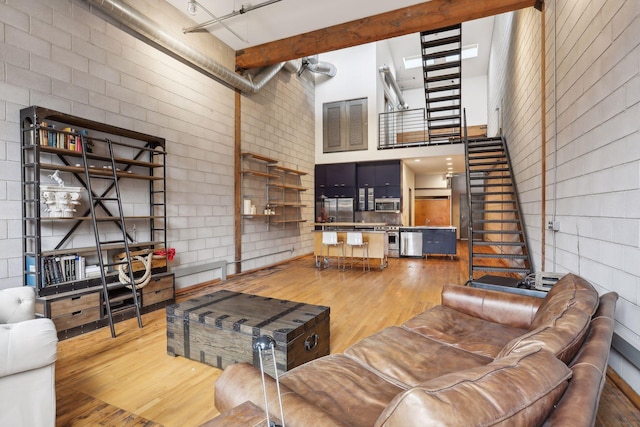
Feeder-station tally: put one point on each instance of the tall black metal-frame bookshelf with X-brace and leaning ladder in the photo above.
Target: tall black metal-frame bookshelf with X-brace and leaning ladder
(56, 141)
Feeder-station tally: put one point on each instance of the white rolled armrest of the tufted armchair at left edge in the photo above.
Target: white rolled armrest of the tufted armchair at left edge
(27, 345)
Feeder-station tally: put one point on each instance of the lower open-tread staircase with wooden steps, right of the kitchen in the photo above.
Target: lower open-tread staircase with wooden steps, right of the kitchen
(497, 241)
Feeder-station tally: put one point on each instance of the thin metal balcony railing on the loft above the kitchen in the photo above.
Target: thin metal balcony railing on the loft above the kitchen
(407, 128)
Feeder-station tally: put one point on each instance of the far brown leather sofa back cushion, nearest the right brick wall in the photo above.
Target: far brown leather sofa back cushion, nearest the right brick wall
(562, 321)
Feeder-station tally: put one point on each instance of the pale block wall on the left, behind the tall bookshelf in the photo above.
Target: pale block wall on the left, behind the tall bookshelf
(62, 56)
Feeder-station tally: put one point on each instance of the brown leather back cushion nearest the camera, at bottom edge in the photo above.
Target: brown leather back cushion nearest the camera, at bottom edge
(517, 390)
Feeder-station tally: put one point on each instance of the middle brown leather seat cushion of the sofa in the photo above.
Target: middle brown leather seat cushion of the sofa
(407, 359)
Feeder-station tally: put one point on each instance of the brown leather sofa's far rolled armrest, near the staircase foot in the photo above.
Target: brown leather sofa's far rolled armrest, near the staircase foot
(500, 307)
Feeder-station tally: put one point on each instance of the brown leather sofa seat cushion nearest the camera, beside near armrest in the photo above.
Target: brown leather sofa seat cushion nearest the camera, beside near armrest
(342, 387)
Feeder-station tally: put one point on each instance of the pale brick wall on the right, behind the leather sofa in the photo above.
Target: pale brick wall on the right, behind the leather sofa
(597, 58)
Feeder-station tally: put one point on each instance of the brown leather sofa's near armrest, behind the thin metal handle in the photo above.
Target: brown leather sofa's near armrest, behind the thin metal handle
(241, 382)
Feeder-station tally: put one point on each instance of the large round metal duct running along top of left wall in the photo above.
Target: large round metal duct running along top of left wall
(137, 22)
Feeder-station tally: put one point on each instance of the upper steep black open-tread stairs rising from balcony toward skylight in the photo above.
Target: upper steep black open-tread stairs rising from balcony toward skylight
(442, 70)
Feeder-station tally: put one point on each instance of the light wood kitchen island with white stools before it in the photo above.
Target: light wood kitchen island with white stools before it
(378, 245)
